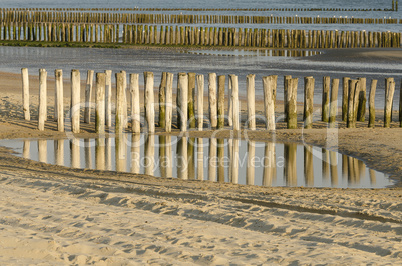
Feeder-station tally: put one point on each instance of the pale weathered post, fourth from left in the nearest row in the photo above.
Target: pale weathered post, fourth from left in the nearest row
(75, 100)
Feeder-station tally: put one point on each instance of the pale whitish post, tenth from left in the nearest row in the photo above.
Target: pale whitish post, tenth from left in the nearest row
(149, 101)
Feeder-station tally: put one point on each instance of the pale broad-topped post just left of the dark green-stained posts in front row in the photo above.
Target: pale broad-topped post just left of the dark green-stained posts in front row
(269, 104)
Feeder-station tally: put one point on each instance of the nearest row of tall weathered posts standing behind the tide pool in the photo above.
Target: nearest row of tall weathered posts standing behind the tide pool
(190, 97)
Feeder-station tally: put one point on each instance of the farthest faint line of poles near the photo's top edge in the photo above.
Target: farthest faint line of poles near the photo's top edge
(394, 7)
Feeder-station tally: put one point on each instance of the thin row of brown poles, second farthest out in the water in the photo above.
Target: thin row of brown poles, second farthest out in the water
(85, 17)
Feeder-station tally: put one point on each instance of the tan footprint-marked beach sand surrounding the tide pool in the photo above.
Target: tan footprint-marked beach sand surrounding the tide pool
(56, 215)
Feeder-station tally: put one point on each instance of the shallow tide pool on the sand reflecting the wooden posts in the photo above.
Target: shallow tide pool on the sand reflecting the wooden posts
(219, 160)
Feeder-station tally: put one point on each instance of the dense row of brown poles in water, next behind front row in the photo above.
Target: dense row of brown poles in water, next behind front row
(208, 36)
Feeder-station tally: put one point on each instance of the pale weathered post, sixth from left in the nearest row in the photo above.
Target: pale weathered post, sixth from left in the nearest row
(100, 102)
